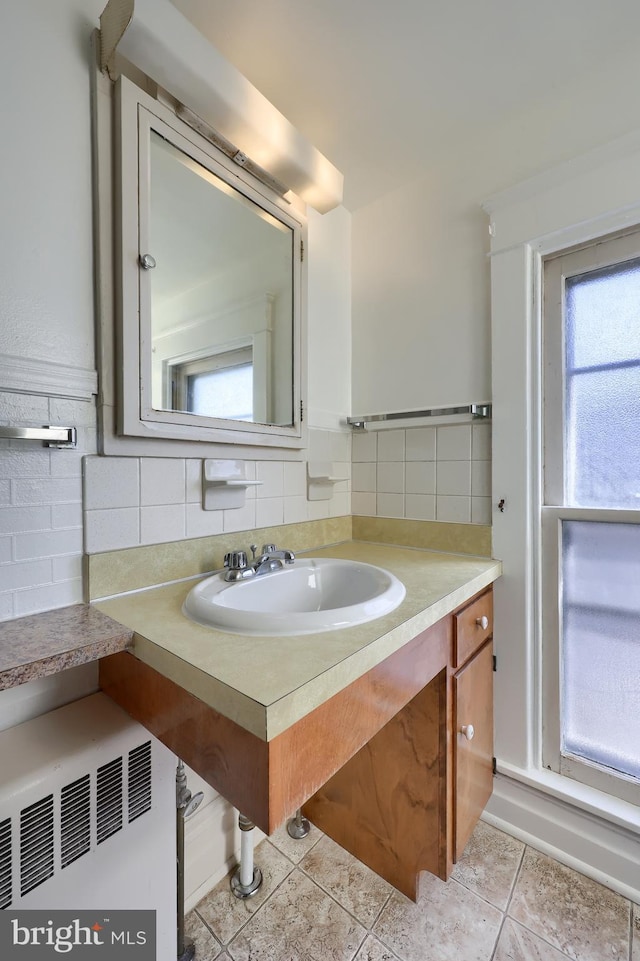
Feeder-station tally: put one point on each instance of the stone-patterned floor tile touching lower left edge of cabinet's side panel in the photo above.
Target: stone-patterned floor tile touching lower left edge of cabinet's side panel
(355, 886)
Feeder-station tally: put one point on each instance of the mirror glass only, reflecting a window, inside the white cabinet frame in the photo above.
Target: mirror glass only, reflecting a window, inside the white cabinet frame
(221, 296)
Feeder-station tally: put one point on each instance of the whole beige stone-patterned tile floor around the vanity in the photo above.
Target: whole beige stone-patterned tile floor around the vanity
(505, 902)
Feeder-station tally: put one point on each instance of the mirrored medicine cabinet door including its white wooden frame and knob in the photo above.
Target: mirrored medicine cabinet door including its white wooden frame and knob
(212, 270)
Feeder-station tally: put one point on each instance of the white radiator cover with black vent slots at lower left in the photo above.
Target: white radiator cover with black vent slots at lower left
(87, 815)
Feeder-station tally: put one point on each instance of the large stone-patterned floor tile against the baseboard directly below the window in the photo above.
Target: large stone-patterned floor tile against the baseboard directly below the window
(580, 917)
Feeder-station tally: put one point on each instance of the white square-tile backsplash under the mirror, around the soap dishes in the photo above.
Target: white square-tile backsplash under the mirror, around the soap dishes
(130, 501)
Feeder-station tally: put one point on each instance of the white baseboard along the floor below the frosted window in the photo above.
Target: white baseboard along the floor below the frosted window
(593, 845)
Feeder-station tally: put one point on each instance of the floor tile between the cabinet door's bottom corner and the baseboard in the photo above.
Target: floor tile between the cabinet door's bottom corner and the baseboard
(490, 864)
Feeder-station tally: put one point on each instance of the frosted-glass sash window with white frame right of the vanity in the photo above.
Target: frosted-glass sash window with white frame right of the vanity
(591, 515)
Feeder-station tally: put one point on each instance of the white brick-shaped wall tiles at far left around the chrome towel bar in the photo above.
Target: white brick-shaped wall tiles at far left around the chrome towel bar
(41, 506)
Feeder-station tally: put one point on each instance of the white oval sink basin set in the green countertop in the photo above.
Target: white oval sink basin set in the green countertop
(312, 594)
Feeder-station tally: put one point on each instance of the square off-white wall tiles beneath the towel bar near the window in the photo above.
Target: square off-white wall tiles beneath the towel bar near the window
(424, 473)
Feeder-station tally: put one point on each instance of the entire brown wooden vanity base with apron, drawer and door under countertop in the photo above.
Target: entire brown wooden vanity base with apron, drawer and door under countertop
(380, 764)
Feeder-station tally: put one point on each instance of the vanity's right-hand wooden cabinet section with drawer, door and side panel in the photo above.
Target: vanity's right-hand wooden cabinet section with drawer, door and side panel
(410, 798)
